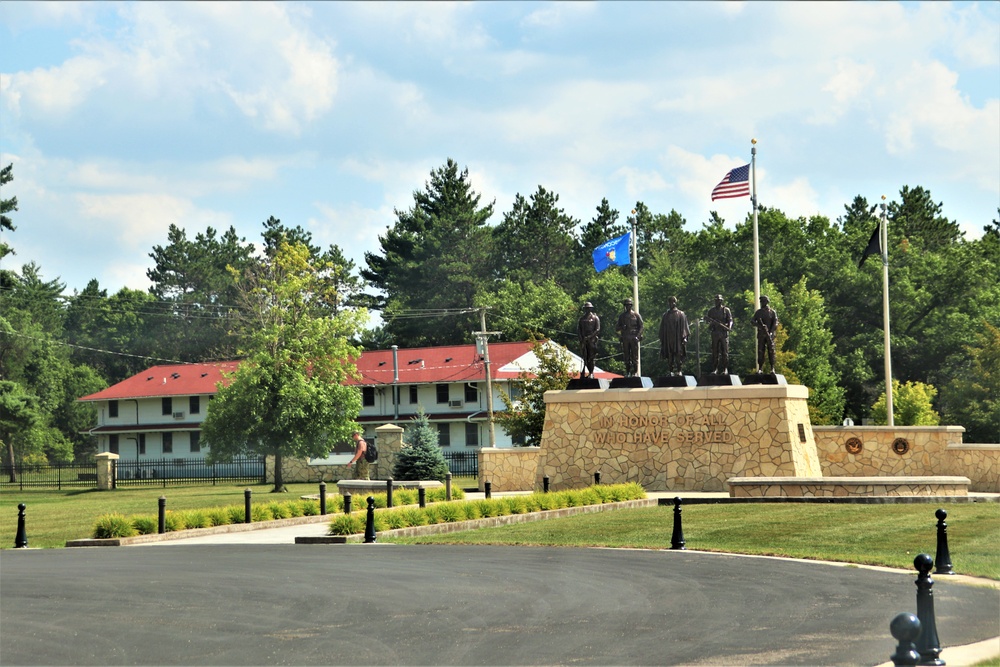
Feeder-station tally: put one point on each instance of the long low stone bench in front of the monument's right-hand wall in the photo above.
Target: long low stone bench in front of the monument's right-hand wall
(834, 487)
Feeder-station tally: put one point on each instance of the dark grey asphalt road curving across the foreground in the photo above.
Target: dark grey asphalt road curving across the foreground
(389, 604)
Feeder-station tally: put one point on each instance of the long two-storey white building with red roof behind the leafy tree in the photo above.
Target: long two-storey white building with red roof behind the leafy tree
(157, 414)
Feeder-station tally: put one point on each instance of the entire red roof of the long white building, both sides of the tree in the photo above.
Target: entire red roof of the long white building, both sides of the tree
(419, 365)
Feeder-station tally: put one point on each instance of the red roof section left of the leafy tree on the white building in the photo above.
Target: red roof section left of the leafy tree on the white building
(172, 380)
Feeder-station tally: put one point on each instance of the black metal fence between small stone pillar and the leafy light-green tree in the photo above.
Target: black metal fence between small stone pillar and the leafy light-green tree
(164, 472)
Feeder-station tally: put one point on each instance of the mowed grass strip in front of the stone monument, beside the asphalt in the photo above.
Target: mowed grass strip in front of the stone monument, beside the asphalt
(888, 535)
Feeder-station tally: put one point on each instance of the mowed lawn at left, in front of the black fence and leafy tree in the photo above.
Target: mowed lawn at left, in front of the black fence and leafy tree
(54, 517)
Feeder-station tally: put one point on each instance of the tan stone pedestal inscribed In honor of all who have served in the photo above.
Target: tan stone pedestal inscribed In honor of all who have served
(676, 439)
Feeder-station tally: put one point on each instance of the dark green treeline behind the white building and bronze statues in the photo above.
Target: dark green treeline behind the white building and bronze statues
(441, 261)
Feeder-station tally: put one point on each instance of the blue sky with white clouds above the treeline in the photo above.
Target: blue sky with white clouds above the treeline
(122, 118)
